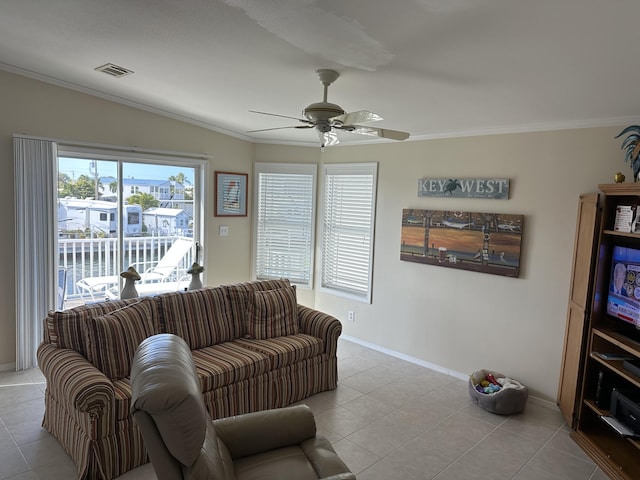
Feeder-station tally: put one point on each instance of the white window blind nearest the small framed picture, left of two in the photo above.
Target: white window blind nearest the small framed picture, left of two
(284, 218)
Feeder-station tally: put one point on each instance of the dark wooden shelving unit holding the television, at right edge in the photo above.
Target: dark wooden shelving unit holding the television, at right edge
(617, 456)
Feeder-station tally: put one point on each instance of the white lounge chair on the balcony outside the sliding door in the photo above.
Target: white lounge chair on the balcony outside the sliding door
(165, 270)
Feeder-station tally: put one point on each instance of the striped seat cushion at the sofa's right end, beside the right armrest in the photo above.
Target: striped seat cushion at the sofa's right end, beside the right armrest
(284, 351)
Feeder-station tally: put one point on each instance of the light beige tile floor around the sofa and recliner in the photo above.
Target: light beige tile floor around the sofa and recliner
(388, 419)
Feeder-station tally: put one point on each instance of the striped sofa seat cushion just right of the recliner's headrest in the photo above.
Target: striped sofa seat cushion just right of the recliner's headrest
(227, 363)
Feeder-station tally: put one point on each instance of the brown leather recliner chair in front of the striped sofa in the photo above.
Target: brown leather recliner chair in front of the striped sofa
(184, 443)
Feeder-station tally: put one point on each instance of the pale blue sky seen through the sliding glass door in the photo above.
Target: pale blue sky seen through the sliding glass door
(74, 167)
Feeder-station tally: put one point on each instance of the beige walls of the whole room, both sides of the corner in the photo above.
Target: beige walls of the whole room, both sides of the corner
(457, 320)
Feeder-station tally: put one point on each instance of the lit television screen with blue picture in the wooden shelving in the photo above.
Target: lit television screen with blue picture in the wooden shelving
(623, 301)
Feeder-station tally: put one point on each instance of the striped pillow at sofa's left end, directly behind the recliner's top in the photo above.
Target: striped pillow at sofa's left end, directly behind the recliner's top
(114, 337)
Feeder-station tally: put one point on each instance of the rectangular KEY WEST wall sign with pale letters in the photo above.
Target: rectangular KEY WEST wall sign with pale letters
(493, 188)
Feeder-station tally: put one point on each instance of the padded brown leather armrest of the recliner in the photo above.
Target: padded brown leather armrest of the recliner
(258, 432)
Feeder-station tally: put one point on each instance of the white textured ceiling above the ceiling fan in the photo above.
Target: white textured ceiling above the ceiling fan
(432, 68)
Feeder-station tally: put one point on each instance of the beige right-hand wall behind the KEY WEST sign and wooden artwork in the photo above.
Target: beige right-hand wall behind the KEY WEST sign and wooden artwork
(462, 320)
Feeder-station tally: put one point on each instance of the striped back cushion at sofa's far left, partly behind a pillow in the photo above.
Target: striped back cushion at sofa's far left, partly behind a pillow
(68, 328)
